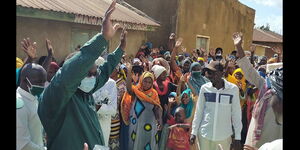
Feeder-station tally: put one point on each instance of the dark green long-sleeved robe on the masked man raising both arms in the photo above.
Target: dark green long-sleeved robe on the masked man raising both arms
(68, 114)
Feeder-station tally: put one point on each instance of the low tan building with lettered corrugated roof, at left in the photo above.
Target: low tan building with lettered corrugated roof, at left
(68, 24)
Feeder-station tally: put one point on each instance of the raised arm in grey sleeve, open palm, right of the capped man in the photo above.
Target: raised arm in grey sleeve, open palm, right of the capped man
(251, 74)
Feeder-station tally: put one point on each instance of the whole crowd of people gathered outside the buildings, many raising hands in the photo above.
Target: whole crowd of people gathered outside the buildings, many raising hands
(162, 99)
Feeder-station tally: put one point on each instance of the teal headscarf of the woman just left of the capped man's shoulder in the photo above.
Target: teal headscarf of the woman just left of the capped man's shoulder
(197, 81)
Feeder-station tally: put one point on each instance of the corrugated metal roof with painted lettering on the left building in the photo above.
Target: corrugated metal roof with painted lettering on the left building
(91, 8)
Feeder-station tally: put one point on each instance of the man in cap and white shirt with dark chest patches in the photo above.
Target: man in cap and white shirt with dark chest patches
(218, 108)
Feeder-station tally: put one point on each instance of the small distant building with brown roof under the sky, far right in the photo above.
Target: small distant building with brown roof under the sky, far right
(265, 41)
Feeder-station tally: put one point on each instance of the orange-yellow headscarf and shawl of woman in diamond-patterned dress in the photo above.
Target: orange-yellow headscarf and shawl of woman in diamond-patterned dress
(149, 96)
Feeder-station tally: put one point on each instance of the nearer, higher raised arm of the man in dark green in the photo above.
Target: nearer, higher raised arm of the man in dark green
(67, 79)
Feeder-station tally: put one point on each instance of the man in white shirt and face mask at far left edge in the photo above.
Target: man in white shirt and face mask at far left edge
(29, 127)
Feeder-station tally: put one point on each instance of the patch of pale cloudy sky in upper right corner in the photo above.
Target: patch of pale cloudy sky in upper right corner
(267, 11)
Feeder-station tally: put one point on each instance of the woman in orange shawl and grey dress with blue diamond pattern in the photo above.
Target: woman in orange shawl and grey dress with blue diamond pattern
(141, 110)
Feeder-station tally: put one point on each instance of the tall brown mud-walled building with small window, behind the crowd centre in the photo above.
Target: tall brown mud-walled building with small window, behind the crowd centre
(201, 23)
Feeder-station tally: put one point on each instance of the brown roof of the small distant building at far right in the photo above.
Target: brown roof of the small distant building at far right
(266, 36)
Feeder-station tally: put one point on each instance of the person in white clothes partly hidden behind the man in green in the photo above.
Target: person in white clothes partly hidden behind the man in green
(106, 103)
